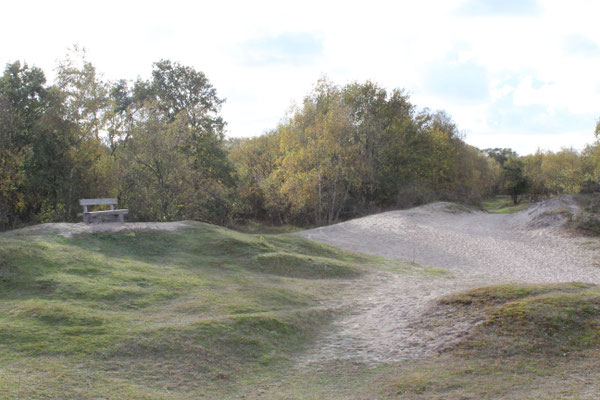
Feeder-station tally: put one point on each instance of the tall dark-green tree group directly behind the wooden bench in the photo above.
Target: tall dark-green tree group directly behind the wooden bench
(156, 144)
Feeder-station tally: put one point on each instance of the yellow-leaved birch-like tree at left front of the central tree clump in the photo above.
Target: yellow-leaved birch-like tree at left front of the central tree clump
(318, 165)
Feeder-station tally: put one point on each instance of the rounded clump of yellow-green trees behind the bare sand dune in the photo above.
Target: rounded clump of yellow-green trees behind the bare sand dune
(347, 150)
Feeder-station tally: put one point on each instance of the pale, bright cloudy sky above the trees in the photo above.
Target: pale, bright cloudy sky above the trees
(523, 74)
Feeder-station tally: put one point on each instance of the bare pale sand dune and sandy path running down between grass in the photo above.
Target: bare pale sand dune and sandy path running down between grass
(479, 249)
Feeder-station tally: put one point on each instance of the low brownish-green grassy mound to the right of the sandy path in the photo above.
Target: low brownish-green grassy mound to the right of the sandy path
(545, 319)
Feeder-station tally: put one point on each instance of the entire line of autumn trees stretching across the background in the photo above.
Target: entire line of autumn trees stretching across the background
(158, 145)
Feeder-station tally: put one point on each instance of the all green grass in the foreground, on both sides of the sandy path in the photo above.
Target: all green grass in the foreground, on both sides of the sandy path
(213, 313)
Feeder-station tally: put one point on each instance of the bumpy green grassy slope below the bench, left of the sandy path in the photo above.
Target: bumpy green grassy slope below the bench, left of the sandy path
(159, 314)
